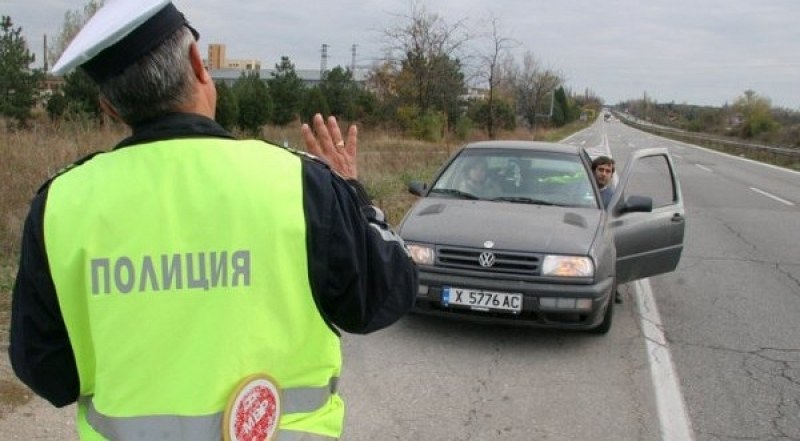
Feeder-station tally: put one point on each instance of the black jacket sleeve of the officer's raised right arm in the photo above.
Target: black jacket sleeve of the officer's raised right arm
(361, 274)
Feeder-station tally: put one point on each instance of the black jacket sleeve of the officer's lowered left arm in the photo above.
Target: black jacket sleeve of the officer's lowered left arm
(39, 347)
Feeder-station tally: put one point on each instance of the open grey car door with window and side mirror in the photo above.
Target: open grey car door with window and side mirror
(647, 216)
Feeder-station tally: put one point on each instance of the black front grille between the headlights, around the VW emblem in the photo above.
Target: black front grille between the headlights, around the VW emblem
(504, 261)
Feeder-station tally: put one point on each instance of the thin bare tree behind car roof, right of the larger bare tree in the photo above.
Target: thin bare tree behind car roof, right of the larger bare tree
(490, 69)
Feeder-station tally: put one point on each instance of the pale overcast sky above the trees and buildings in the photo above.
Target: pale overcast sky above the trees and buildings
(701, 52)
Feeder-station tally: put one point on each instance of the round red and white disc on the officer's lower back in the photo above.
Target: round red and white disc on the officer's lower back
(253, 411)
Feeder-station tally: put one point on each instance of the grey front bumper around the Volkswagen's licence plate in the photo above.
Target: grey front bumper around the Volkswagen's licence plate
(534, 312)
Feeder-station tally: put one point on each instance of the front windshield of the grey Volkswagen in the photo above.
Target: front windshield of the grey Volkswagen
(518, 176)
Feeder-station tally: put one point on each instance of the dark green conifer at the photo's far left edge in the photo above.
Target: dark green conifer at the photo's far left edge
(18, 83)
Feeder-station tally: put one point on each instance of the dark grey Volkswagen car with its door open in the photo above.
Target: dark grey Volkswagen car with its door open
(540, 250)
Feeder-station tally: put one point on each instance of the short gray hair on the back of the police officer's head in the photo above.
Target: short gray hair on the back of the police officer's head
(157, 84)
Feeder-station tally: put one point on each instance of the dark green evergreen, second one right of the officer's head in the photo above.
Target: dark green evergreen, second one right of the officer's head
(255, 104)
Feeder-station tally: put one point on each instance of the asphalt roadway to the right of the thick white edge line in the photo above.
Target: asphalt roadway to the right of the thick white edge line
(731, 310)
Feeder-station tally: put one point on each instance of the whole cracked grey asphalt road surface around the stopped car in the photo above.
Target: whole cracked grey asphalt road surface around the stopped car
(729, 315)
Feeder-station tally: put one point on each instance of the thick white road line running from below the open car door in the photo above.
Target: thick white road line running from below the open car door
(672, 414)
